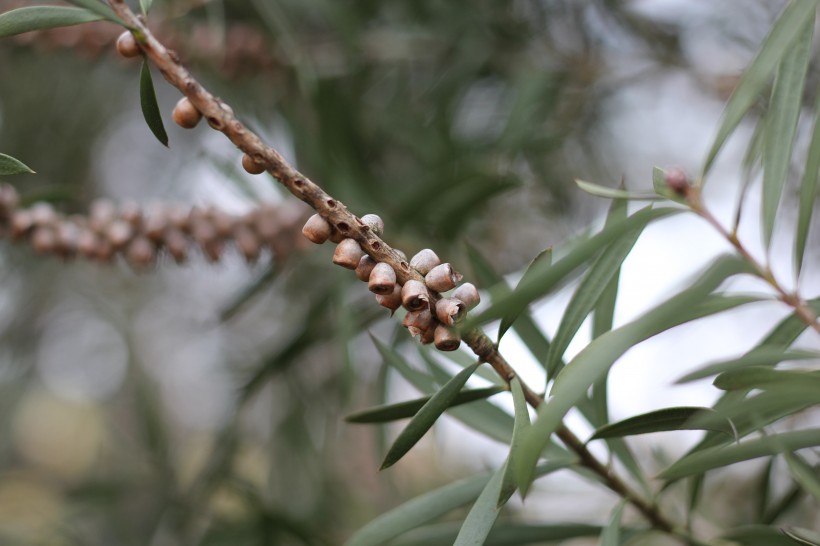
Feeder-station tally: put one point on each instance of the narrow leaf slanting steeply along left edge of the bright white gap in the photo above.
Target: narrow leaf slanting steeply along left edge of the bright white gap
(586, 296)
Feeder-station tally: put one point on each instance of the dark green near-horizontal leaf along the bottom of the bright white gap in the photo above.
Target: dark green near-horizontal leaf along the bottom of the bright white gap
(667, 419)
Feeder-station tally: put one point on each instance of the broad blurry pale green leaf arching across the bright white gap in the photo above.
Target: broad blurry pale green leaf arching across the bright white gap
(591, 363)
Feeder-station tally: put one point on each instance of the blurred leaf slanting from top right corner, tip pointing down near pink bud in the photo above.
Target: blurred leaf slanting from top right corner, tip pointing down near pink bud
(780, 40)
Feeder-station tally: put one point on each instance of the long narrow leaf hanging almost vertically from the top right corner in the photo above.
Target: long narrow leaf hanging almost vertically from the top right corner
(781, 122)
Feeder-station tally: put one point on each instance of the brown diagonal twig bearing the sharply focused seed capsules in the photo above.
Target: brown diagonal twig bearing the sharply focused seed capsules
(220, 116)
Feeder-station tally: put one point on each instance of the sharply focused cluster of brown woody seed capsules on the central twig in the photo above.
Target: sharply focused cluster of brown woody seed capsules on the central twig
(429, 316)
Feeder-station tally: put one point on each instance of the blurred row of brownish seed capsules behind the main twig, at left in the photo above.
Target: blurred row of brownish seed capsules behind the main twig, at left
(141, 236)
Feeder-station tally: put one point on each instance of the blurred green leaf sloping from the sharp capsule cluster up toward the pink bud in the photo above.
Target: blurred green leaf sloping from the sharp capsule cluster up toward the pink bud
(545, 277)
